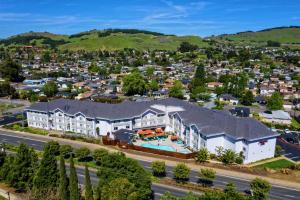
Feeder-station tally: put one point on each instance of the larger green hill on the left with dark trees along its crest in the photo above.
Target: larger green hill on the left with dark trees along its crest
(111, 39)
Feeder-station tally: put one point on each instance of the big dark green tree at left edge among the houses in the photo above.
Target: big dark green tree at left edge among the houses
(11, 71)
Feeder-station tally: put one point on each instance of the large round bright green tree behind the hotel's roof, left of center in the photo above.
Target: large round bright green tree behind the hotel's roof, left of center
(133, 84)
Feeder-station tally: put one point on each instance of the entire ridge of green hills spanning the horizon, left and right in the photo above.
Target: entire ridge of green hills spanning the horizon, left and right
(115, 39)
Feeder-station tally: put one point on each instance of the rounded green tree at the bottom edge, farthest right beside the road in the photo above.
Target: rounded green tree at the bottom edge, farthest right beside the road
(260, 188)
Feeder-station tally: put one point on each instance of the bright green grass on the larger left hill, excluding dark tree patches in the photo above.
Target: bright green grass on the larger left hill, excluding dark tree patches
(117, 41)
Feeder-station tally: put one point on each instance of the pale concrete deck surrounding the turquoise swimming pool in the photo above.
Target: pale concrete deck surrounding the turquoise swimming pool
(164, 142)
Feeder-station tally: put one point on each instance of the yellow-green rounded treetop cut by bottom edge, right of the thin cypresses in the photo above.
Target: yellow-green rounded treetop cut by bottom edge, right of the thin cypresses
(118, 189)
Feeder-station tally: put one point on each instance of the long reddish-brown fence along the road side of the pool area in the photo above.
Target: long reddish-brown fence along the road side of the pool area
(107, 141)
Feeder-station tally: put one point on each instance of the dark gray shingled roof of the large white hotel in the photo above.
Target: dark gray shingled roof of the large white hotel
(210, 122)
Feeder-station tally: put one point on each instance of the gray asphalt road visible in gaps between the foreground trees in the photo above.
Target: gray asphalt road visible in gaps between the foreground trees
(277, 192)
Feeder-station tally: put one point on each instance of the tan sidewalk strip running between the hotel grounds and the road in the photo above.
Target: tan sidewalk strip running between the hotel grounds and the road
(149, 158)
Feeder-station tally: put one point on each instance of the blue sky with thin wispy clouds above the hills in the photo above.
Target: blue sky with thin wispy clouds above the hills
(181, 17)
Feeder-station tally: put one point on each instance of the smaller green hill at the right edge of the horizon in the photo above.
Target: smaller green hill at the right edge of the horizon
(284, 35)
